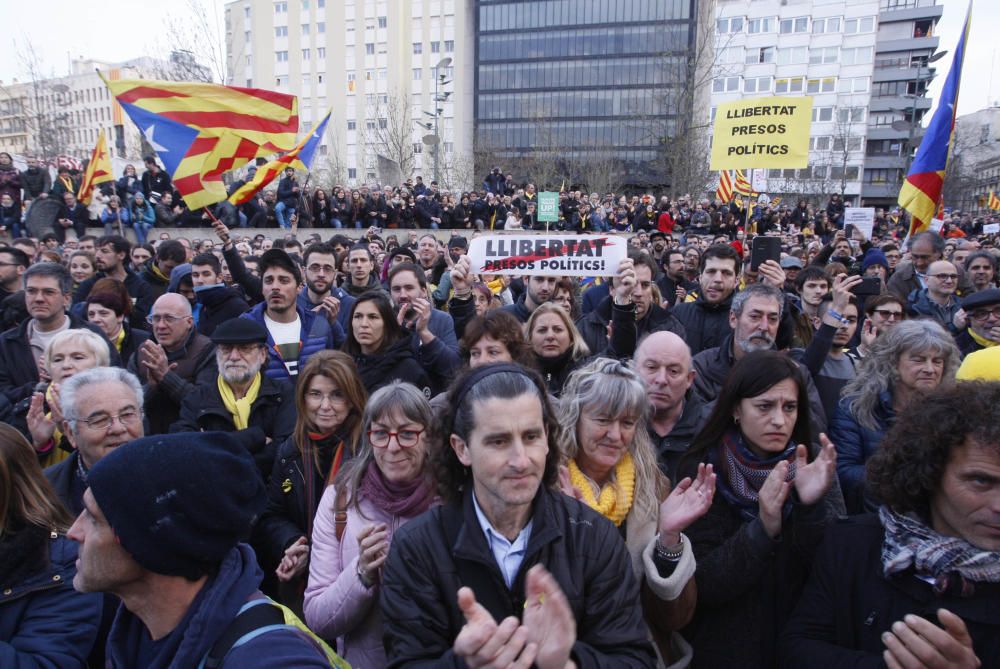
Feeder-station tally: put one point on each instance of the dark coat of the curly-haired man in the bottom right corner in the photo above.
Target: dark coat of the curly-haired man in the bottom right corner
(847, 604)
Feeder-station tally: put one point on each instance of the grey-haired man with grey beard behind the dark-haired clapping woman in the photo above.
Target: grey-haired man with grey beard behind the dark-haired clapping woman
(754, 317)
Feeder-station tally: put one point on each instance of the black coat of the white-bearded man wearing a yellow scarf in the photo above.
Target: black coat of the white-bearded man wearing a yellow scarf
(272, 418)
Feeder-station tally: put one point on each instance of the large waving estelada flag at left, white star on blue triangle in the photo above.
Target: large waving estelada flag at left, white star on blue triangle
(200, 130)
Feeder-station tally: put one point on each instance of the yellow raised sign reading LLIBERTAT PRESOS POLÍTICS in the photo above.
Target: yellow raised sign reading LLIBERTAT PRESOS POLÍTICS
(762, 133)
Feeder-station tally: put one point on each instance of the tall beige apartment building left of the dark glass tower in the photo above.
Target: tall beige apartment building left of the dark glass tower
(397, 75)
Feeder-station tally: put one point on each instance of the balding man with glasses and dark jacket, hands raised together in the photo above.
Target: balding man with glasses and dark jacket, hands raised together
(170, 364)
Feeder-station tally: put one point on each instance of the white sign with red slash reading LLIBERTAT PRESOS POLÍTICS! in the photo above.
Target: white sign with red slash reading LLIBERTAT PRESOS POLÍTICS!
(547, 255)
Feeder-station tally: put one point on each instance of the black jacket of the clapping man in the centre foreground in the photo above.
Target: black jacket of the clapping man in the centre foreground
(437, 553)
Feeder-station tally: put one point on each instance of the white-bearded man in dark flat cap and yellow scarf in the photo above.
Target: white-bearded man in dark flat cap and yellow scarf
(241, 399)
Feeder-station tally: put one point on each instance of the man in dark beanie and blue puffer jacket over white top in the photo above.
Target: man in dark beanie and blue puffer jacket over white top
(293, 334)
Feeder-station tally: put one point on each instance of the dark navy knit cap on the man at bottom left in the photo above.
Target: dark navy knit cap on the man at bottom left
(179, 503)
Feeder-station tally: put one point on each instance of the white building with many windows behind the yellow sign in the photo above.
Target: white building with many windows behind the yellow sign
(818, 48)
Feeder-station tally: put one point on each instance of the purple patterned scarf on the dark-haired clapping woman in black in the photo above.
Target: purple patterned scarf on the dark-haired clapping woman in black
(742, 473)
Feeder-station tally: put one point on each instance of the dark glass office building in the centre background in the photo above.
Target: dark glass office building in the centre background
(581, 77)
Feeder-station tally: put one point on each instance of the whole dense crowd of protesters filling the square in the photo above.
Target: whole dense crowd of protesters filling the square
(351, 450)
